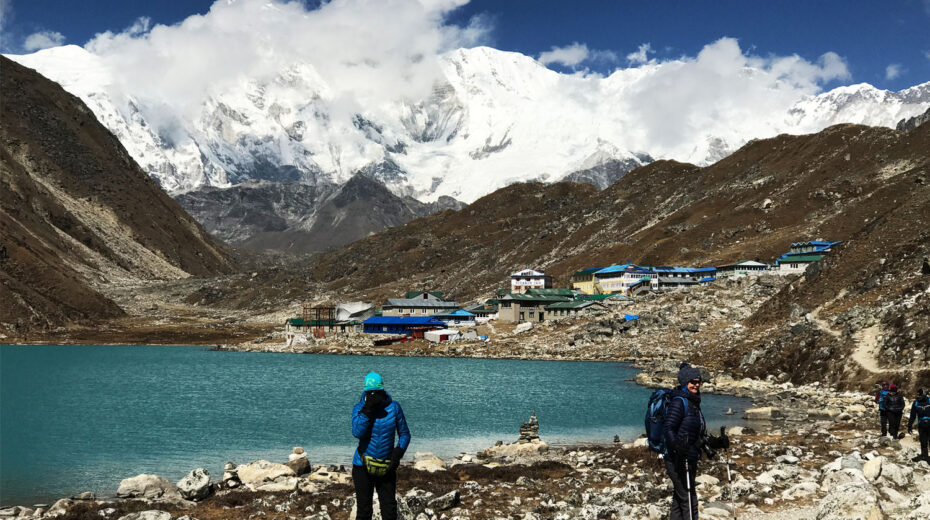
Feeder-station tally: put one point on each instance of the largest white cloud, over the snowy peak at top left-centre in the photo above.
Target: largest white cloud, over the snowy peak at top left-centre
(367, 52)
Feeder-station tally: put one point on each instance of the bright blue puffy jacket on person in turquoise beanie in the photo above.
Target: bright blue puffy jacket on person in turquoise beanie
(376, 436)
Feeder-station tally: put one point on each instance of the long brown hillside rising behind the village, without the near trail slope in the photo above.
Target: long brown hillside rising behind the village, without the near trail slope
(752, 204)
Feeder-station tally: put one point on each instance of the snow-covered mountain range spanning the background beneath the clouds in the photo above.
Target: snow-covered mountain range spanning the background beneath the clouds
(494, 118)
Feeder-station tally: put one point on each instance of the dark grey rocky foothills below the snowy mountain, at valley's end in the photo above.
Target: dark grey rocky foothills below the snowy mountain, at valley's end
(301, 218)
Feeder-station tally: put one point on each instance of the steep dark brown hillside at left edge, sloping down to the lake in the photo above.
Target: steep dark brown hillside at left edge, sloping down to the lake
(77, 213)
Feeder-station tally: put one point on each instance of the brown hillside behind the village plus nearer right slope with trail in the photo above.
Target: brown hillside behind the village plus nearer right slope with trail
(865, 307)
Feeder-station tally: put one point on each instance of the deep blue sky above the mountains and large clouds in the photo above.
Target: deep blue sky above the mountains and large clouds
(886, 44)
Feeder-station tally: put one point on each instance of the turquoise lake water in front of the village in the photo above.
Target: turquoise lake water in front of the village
(82, 418)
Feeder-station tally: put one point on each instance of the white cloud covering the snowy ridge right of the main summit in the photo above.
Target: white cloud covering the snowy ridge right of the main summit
(722, 91)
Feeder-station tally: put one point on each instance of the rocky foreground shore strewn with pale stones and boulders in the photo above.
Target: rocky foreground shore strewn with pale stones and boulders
(811, 453)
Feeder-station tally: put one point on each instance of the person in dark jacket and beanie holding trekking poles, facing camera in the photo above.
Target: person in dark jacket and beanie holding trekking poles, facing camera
(685, 433)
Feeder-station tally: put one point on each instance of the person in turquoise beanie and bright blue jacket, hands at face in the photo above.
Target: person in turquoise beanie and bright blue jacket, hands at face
(375, 418)
